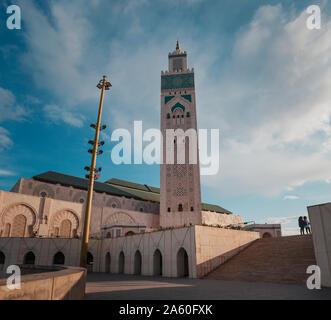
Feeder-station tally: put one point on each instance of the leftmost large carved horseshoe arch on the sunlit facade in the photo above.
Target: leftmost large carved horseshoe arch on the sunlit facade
(20, 219)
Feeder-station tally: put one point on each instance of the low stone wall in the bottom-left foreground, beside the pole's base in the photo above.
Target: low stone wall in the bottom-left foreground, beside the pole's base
(62, 283)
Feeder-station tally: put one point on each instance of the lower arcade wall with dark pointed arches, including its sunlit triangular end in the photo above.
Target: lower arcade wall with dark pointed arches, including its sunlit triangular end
(191, 251)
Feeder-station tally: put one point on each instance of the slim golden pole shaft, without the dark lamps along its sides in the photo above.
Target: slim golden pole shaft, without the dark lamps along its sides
(87, 219)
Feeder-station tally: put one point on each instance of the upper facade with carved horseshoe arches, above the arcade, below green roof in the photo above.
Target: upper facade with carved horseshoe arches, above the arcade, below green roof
(46, 218)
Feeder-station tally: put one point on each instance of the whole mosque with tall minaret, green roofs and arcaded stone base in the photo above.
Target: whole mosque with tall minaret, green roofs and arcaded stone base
(135, 228)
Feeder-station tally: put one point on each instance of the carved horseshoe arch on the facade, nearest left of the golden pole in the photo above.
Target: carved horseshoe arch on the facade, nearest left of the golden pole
(64, 223)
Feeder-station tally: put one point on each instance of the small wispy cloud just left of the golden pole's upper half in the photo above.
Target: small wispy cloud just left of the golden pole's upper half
(59, 114)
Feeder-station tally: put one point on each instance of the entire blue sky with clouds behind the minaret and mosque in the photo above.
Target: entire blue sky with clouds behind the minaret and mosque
(262, 78)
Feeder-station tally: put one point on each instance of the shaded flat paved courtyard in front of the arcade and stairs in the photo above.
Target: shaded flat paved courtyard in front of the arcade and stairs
(101, 286)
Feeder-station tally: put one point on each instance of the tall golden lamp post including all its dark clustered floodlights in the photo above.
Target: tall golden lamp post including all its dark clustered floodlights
(103, 85)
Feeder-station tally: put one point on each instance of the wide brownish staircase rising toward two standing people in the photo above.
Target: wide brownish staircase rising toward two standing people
(276, 260)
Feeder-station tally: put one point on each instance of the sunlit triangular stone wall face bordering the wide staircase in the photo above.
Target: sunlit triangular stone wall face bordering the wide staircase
(214, 246)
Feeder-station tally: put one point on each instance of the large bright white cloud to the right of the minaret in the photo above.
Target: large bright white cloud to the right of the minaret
(273, 105)
